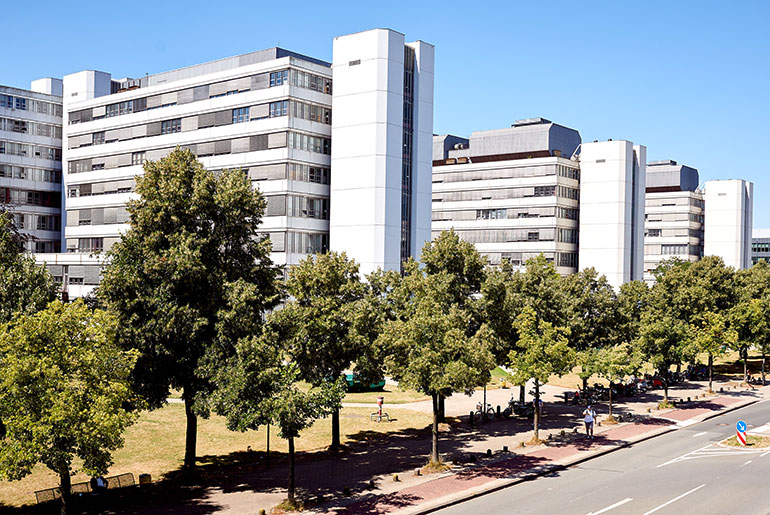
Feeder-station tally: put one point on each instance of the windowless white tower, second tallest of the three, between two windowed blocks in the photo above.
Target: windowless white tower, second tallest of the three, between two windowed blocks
(612, 187)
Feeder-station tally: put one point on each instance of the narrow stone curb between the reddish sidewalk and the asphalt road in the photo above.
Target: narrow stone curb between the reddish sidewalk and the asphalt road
(548, 469)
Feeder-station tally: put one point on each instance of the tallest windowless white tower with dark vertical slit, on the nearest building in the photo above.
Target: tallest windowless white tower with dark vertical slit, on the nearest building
(381, 157)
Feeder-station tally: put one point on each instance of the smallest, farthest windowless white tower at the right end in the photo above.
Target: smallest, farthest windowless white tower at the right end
(728, 221)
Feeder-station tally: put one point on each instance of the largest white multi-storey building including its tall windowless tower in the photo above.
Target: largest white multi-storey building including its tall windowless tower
(268, 113)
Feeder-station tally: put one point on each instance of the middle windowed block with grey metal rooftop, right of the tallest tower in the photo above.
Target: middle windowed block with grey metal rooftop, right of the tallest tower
(513, 193)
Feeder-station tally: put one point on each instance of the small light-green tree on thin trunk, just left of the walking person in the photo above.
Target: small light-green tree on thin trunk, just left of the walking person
(543, 351)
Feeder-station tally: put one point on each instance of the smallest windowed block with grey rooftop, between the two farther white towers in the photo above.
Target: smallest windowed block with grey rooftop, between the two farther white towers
(674, 215)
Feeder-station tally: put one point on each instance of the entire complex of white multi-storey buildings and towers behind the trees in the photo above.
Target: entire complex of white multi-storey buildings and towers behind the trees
(345, 155)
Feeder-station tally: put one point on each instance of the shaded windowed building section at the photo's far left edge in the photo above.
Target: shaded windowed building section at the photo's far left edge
(31, 161)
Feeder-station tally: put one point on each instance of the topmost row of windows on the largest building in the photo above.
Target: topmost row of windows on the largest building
(241, 85)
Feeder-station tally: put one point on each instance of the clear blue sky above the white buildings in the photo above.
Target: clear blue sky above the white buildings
(690, 80)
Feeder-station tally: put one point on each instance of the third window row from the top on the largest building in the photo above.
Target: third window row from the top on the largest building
(306, 142)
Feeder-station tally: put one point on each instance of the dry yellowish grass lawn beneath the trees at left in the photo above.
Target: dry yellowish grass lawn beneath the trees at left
(155, 444)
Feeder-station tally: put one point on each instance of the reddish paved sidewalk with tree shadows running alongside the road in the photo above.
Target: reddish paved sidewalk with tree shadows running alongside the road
(505, 469)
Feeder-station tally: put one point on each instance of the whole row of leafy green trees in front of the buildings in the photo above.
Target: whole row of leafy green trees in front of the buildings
(190, 300)
